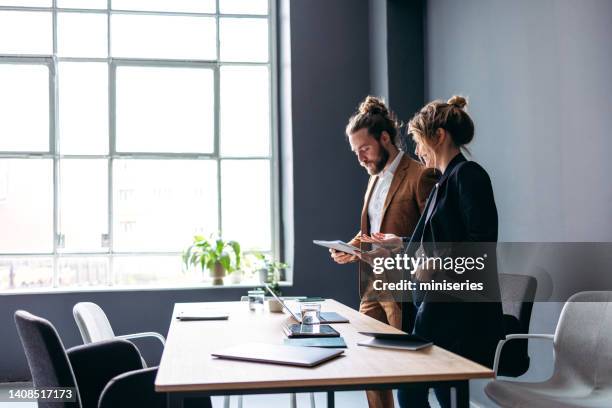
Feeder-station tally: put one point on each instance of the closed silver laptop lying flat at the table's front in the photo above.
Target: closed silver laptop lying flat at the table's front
(279, 354)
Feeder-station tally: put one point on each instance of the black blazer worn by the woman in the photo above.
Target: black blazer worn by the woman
(459, 215)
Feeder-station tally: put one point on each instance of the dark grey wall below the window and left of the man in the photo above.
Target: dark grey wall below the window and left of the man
(330, 76)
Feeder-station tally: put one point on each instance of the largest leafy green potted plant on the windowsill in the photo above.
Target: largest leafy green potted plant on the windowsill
(217, 256)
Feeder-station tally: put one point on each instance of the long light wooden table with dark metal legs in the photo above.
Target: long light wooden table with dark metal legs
(187, 368)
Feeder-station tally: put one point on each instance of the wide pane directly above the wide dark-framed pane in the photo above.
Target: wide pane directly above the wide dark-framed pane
(150, 36)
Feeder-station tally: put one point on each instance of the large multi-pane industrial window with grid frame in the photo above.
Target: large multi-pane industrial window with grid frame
(127, 127)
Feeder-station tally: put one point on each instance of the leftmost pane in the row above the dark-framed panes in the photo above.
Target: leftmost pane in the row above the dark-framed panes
(26, 32)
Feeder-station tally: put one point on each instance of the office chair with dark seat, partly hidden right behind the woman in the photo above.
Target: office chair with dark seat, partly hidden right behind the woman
(518, 293)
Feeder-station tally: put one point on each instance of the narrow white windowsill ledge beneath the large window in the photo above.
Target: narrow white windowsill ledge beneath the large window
(133, 288)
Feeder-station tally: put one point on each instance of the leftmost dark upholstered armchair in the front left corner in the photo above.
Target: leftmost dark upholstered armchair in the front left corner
(98, 372)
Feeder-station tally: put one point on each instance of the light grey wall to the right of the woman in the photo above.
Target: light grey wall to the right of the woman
(537, 73)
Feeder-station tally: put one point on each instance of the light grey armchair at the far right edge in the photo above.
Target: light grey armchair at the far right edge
(582, 374)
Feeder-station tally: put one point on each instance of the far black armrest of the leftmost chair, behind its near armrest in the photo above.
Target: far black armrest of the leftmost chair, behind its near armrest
(95, 364)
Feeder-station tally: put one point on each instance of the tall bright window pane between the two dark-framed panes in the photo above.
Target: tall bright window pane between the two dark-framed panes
(83, 107)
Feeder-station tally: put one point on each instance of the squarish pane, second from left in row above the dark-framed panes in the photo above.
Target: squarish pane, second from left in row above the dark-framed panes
(81, 35)
